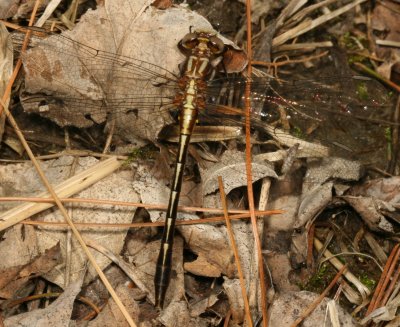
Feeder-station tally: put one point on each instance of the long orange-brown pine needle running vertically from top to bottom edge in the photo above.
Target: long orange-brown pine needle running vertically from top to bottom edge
(250, 193)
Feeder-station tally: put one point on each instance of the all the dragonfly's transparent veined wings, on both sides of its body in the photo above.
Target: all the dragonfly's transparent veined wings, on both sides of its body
(74, 84)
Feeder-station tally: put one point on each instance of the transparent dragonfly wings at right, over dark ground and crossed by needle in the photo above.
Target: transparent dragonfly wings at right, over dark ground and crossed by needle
(349, 114)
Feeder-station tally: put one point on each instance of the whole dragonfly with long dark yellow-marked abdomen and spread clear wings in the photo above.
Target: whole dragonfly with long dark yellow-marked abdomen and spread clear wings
(110, 92)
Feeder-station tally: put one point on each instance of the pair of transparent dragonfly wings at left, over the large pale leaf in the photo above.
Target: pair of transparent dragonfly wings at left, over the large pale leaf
(74, 84)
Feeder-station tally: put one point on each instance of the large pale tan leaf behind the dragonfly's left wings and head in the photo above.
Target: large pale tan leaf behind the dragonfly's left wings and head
(82, 74)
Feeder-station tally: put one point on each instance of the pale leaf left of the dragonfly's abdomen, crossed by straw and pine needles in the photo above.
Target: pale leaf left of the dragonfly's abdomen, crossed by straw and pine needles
(117, 186)
